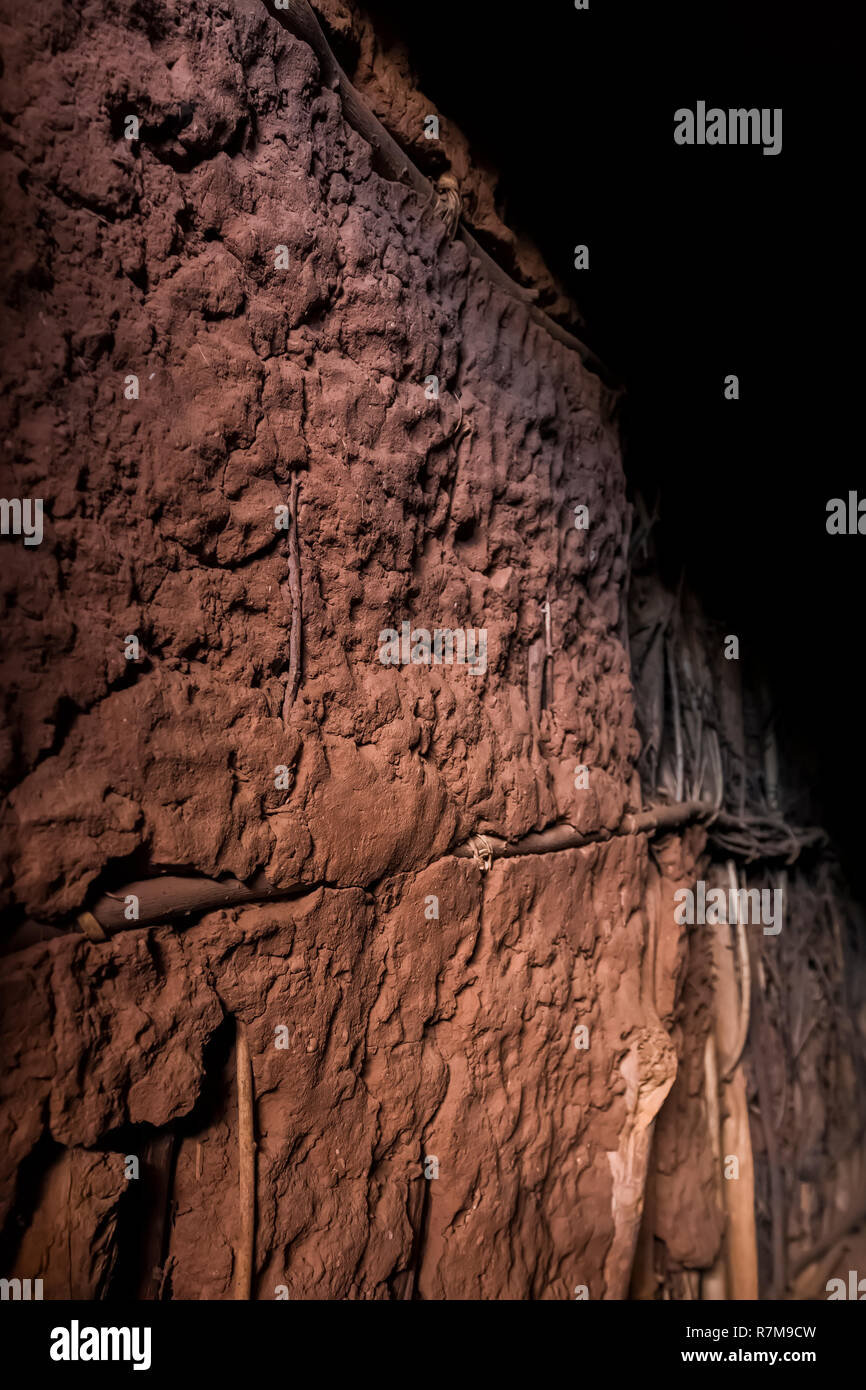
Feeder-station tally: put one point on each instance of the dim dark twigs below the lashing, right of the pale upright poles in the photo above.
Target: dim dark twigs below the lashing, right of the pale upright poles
(807, 1067)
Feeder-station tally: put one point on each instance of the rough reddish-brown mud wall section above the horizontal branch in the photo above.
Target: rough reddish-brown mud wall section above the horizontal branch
(159, 261)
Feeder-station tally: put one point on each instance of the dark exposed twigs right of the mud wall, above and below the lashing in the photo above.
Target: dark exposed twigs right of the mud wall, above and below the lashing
(708, 729)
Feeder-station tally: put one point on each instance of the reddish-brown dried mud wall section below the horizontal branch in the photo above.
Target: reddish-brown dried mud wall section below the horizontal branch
(380, 1040)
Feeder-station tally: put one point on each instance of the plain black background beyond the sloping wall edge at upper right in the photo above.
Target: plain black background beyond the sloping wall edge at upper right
(704, 262)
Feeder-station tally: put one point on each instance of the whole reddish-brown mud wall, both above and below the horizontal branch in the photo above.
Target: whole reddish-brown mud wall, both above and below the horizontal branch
(382, 1035)
